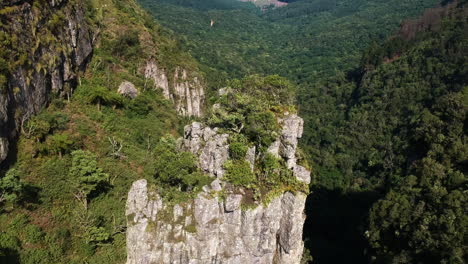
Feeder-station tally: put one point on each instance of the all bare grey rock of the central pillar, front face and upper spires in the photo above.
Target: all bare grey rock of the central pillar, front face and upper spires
(216, 227)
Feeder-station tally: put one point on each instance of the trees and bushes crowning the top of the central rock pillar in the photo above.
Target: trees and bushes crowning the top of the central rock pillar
(250, 110)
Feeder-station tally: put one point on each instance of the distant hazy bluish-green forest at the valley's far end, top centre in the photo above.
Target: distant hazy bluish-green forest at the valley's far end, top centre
(304, 41)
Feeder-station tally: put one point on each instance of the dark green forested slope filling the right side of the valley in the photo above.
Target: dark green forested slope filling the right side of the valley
(397, 127)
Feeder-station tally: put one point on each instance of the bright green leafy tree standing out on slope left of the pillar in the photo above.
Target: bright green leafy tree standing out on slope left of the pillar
(87, 176)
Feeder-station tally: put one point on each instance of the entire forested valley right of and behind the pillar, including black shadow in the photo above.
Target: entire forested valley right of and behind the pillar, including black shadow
(382, 88)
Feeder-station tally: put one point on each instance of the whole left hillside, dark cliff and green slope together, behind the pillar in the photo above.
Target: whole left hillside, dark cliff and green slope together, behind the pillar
(52, 210)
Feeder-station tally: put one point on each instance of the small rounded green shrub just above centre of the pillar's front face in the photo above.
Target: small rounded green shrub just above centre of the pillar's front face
(239, 173)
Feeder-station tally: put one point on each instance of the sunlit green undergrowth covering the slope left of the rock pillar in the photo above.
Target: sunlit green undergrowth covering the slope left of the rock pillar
(77, 159)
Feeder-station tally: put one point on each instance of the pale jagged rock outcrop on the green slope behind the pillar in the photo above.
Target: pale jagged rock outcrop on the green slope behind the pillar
(186, 91)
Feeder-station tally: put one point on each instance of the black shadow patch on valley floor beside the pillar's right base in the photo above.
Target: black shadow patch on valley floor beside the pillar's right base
(335, 226)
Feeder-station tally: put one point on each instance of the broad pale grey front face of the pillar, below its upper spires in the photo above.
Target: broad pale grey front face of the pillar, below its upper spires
(209, 230)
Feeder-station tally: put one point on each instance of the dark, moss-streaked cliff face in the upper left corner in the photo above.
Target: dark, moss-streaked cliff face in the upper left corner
(47, 43)
